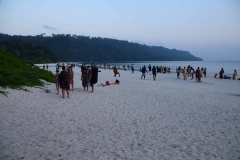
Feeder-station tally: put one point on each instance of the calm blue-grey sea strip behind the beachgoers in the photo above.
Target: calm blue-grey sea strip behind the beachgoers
(213, 67)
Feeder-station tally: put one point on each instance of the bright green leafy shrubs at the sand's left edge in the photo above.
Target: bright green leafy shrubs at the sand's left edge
(15, 73)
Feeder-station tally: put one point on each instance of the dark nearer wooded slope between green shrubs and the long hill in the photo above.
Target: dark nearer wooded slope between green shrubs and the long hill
(29, 52)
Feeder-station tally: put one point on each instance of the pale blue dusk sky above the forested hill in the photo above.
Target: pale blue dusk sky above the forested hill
(209, 29)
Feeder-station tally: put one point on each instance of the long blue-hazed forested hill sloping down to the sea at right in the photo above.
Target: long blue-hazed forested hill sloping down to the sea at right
(83, 48)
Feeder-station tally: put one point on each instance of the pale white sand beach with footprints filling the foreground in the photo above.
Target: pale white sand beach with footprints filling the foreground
(138, 119)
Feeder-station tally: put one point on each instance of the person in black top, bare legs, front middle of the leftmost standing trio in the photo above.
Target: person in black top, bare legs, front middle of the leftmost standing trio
(64, 81)
